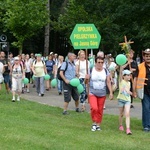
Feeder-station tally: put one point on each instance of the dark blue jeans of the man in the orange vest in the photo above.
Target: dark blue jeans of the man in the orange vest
(146, 111)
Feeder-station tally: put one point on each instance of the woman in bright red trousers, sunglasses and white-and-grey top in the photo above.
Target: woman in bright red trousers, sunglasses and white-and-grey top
(97, 95)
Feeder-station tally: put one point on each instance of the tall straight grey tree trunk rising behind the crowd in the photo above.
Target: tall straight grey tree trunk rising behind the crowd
(47, 32)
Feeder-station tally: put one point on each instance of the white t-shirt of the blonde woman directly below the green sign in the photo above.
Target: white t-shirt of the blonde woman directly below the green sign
(82, 71)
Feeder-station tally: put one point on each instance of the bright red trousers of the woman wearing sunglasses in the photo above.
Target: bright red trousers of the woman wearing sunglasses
(96, 105)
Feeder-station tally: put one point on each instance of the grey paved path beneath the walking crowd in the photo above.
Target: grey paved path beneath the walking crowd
(53, 99)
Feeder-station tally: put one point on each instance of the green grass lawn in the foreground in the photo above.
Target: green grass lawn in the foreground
(28, 125)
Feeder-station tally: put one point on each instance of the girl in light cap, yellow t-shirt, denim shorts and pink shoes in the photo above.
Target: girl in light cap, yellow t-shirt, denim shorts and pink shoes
(124, 99)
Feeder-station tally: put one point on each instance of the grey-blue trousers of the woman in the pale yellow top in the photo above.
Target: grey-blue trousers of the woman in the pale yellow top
(39, 83)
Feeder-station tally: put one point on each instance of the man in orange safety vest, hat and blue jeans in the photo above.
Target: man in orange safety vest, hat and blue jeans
(142, 84)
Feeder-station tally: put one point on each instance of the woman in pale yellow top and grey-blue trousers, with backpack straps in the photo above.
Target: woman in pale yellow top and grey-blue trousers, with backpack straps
(39, 71)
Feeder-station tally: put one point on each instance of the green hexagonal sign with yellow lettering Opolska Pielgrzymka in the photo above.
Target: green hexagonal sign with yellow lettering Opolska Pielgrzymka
(85, 36)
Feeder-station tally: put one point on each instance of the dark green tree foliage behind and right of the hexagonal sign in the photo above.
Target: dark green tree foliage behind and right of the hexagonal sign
(114, 20)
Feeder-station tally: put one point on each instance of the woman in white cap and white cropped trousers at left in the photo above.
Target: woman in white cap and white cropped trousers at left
(17, 76)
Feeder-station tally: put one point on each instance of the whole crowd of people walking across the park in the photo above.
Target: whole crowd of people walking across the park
(102, 77)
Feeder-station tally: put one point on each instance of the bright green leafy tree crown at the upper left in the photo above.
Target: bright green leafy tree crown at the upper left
(24, 18)
